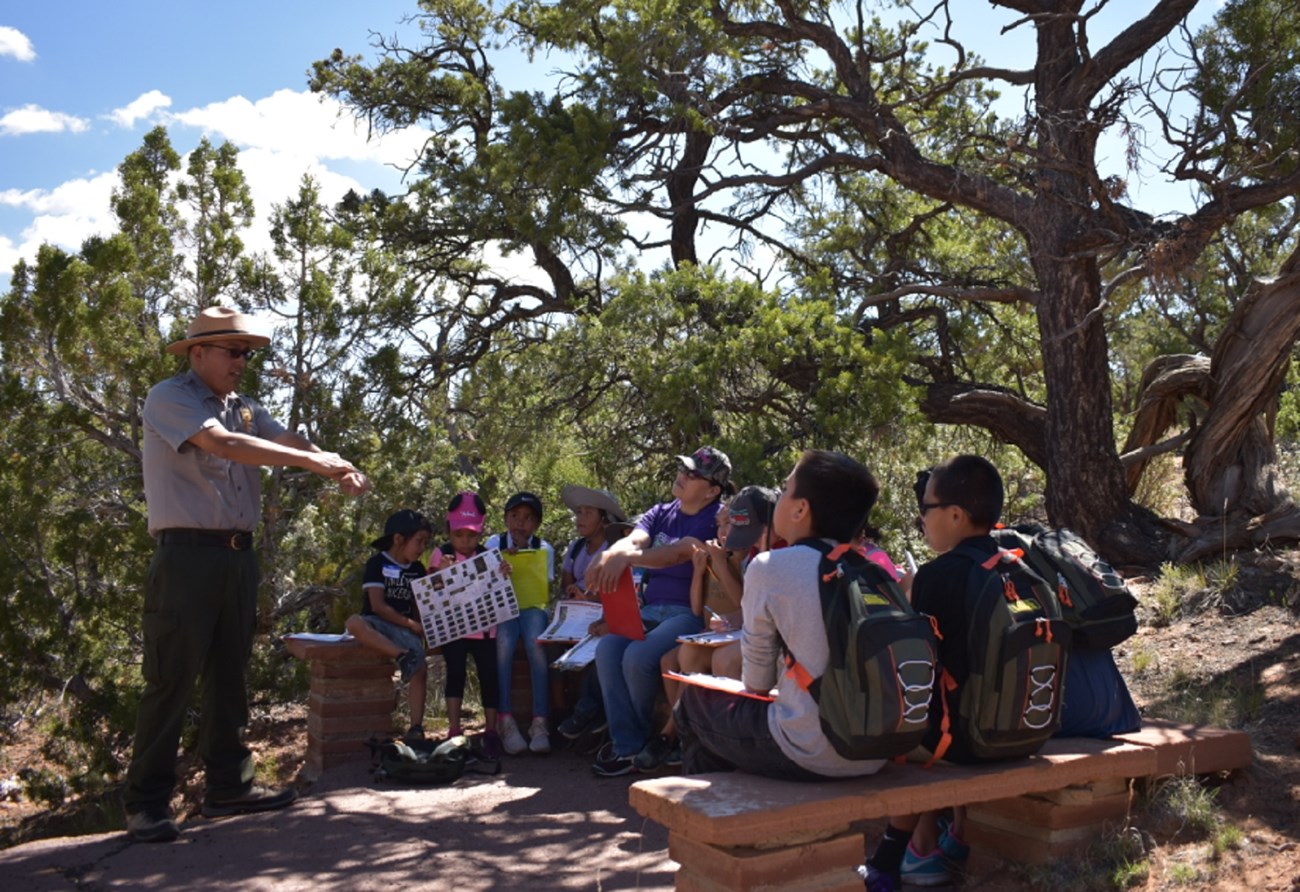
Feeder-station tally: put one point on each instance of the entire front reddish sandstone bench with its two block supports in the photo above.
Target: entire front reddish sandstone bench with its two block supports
(736, 832)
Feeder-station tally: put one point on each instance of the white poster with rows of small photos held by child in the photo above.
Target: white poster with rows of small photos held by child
(467, 597)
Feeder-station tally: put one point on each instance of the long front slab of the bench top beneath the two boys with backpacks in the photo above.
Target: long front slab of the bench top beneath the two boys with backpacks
(738, 809)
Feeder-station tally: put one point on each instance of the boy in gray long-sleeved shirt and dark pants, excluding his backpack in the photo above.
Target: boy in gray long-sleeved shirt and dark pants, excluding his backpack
(822, 508)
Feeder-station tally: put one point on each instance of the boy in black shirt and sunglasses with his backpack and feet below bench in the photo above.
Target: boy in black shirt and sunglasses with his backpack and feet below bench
(990, 610)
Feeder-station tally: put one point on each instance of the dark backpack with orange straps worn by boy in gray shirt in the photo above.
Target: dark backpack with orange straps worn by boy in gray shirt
(874, 698)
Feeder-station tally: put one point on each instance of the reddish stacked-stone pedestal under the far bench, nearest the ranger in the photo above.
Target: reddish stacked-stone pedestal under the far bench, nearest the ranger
(352, 700)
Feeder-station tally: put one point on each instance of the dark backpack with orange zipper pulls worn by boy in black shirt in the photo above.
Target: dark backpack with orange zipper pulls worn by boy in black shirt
(1019, 646)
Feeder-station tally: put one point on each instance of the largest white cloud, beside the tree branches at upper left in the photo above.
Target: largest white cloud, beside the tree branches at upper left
(301, 122)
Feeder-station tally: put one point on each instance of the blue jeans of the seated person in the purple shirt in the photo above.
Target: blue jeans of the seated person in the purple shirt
(631, 678)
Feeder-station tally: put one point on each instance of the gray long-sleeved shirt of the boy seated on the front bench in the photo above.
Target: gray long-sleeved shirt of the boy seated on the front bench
(783, 604)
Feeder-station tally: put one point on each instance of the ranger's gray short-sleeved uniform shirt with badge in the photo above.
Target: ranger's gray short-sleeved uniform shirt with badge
(187, 487)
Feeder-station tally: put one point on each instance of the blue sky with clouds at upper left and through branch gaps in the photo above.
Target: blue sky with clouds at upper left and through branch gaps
(81, 84)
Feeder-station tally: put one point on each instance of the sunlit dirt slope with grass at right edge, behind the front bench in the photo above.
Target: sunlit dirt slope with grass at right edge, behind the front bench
(1242, 649)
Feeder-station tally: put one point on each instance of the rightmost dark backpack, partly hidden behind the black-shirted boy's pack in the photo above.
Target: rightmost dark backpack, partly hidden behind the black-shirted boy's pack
(1100, 609)
